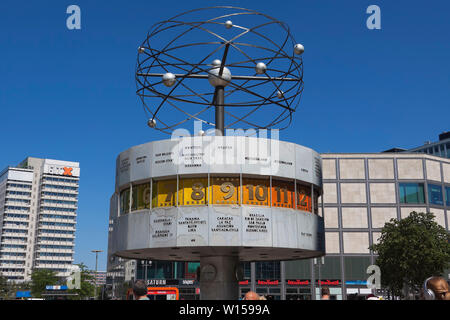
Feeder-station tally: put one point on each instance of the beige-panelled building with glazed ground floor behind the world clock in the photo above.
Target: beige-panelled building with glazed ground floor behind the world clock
(361, 192)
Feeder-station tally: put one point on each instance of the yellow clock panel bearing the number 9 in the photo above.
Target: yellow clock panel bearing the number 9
(225, 190)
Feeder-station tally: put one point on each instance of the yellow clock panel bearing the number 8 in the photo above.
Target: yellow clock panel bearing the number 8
(193, 191)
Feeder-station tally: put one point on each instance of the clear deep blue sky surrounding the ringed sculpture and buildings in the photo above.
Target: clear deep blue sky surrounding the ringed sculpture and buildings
(70, 94)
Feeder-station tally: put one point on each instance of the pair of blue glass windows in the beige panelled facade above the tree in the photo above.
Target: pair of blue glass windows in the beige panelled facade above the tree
(414, 193)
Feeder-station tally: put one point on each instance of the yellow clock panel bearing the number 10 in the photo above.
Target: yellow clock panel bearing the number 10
(256, 192)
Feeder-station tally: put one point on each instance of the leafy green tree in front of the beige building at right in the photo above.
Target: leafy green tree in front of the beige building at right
(411, 250)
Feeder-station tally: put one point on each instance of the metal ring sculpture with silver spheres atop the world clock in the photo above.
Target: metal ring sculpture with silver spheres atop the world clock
(251, 54)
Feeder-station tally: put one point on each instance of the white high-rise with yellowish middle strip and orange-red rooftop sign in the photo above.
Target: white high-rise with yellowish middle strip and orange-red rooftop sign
(38, 210)
